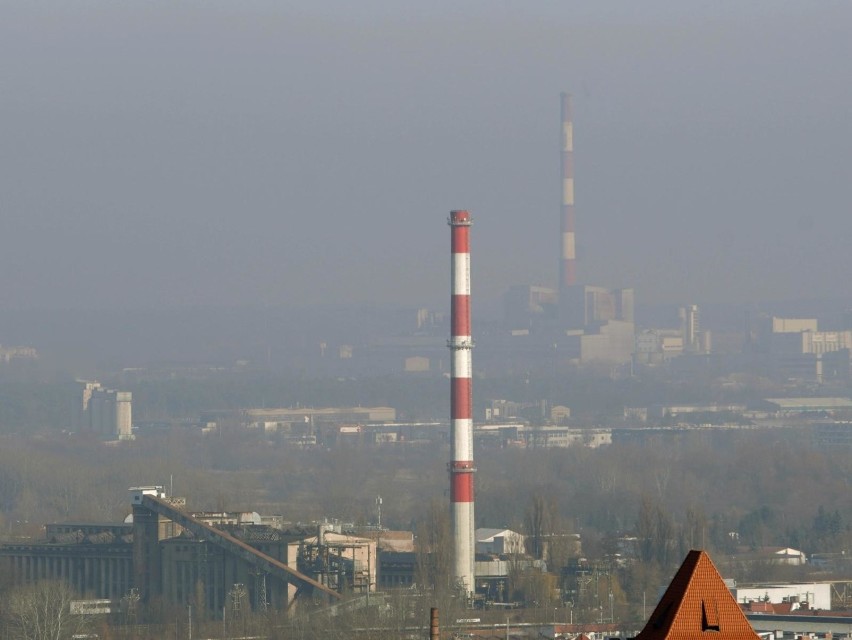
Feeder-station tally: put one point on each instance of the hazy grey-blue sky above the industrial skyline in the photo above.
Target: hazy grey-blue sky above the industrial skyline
(167, 153)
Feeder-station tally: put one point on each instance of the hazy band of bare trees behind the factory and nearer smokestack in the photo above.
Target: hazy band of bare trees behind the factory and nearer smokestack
(722, 492)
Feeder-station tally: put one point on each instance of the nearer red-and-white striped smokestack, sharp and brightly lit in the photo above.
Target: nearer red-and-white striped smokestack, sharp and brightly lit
(461, 404)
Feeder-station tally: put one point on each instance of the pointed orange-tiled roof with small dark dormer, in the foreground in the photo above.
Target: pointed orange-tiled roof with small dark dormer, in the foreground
(697, 605)
